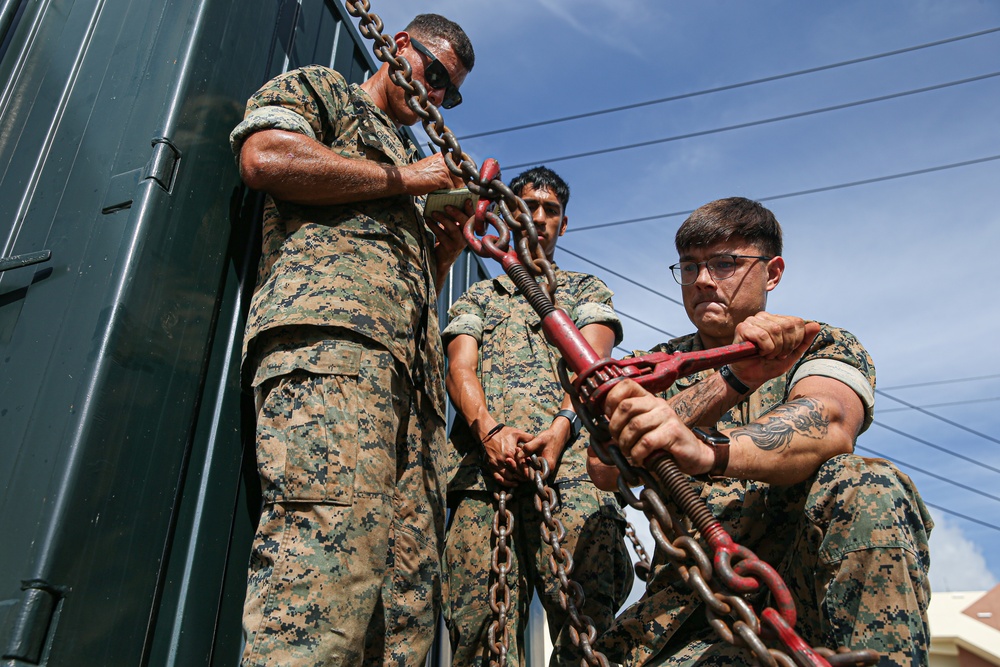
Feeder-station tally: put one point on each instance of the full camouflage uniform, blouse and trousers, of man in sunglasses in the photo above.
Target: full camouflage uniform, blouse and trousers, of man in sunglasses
(343, 352)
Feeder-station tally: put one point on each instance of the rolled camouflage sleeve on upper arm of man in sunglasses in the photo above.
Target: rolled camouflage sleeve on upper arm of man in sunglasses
(296, 101)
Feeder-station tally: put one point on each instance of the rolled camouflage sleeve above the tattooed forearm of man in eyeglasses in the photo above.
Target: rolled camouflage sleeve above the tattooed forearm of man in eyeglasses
(837, 354)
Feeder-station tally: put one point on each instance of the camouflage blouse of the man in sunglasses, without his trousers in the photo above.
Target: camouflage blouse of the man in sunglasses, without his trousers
(362, 266)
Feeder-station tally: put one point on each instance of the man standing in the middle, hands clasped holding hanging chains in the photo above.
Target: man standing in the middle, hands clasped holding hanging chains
(503, 379)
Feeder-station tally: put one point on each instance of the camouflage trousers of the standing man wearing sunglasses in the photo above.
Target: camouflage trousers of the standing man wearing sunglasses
(345, 567)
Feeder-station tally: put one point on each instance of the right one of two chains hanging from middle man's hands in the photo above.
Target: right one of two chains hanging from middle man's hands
(571, 596)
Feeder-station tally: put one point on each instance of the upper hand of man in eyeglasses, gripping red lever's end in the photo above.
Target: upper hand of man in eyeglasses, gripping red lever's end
(781, 341)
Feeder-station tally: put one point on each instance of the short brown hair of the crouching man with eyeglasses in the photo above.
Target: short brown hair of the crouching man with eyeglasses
(732, 218)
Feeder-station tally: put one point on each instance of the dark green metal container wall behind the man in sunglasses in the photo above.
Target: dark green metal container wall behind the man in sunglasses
(124, 510)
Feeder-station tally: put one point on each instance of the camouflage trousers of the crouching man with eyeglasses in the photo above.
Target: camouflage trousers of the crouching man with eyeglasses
(852, 545)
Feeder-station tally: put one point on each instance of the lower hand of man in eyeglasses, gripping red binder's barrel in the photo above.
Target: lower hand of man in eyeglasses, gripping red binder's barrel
(641, 423)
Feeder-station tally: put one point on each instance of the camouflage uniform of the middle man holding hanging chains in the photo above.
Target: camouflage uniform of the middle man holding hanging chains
(518, 372)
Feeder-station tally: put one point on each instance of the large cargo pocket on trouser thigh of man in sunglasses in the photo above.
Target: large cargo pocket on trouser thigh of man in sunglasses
(307, 442)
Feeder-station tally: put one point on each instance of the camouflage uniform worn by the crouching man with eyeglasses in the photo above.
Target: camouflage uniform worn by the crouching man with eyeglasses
(850, 542)
